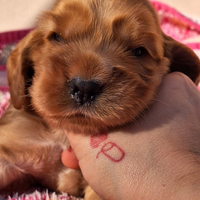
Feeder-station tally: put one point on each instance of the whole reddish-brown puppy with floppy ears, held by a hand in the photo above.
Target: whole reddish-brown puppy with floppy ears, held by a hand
(89, 66)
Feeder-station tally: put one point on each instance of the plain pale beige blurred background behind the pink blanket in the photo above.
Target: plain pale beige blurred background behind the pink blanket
(22, 14)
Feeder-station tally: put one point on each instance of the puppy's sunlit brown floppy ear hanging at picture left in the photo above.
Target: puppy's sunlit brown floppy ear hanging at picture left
(20, 70)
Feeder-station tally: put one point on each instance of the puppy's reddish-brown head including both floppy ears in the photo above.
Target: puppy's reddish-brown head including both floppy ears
(91, 65)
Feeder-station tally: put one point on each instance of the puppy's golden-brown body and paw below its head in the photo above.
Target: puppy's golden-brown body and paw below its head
(30, 155)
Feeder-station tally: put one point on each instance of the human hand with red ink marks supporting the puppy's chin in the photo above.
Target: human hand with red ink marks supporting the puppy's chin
(156, 157)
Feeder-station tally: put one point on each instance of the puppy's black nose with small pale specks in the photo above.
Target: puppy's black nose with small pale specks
(84, 92)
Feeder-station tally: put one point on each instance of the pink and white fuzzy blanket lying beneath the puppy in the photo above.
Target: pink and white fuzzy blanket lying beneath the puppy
(173, 23)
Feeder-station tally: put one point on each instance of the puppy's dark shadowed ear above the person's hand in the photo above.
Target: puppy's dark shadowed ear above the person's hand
(182, 59)
